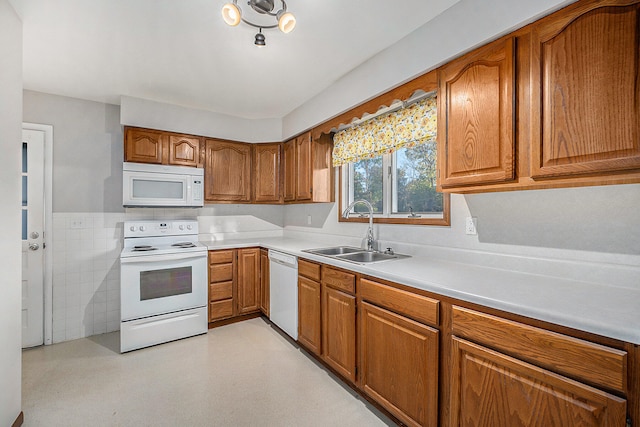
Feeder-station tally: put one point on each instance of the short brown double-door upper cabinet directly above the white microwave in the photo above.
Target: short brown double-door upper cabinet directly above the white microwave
(152, 146)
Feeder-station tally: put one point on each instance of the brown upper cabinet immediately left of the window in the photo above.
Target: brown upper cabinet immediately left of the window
(308, 172)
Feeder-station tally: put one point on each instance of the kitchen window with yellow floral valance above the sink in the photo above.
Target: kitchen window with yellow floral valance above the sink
(390, 161)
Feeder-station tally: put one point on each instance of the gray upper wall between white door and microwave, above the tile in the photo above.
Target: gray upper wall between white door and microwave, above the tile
(87, 151)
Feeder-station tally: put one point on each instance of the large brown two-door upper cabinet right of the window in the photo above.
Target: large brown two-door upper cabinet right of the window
(554, 104)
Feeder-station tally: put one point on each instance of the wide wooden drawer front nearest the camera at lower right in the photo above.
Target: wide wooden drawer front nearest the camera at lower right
(563, 354)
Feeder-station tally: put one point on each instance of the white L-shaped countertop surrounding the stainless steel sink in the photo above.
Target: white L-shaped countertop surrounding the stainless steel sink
(604, 310)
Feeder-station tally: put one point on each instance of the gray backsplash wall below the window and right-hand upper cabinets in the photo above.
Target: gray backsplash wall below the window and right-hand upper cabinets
(589, 224)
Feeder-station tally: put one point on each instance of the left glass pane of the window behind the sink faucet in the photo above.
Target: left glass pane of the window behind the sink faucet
(367, 184)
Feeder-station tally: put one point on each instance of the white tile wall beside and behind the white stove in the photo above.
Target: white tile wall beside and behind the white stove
(86, 268)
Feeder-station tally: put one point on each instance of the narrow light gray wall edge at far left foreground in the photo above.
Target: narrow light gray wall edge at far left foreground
(10, 254)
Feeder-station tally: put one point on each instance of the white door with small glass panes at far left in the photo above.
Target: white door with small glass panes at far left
(32, 238)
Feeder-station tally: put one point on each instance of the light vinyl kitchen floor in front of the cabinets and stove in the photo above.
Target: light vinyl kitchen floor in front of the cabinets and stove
(244, 374)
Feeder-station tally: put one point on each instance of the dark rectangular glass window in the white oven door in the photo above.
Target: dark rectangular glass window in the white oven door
(165, 283)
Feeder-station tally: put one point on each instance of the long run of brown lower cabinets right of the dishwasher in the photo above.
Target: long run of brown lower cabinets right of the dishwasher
(430, 361)
